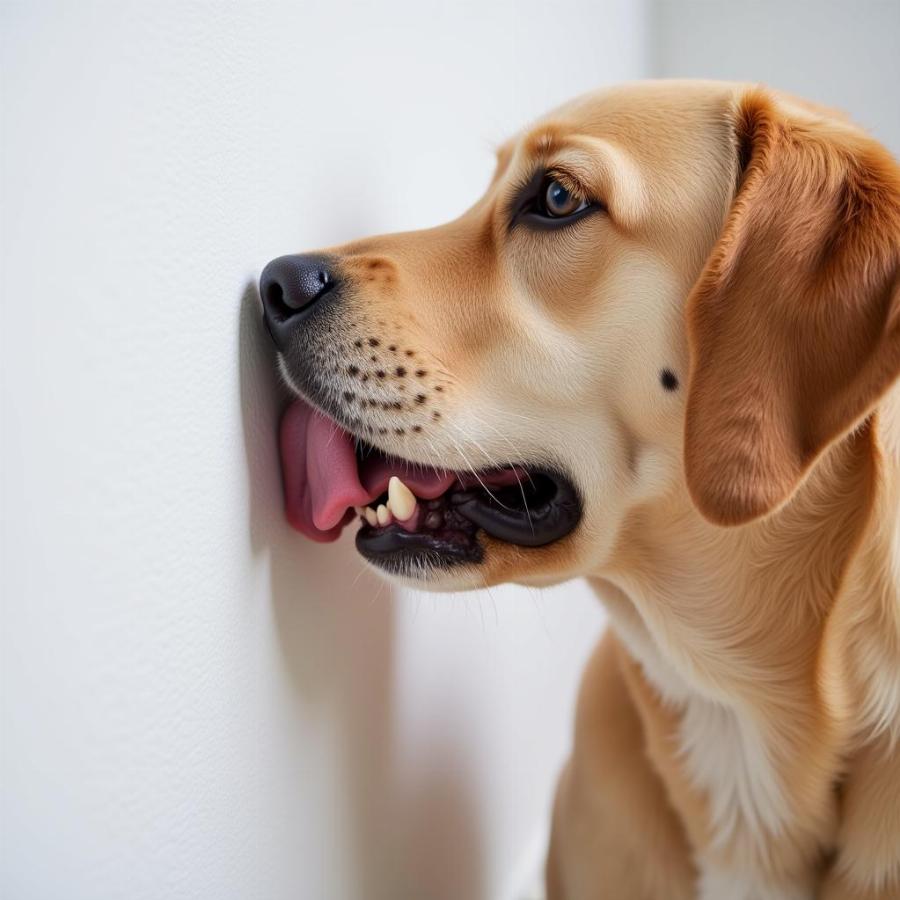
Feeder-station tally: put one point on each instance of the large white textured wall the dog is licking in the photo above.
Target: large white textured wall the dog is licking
(196, 703)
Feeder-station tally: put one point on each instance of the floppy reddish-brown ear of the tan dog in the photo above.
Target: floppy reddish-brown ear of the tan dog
(794, 323)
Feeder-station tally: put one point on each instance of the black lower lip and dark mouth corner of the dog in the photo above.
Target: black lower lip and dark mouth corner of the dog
(543, 509)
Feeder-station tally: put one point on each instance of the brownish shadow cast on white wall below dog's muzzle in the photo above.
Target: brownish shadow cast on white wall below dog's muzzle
(413, 818)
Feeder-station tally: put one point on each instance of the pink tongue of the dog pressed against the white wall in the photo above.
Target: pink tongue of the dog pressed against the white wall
(323, 481)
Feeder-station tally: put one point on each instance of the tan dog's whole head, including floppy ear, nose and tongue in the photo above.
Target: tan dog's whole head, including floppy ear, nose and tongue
(666, 287)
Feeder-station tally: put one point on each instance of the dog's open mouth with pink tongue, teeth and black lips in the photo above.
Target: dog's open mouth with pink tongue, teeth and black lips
(413, 516)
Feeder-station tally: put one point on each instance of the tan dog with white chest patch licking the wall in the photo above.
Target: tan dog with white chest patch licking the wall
(661, 352)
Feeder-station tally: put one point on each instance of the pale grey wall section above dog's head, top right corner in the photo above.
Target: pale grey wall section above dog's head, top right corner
(842, 53)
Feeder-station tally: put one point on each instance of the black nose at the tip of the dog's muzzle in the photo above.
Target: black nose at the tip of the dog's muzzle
(290, 287)
